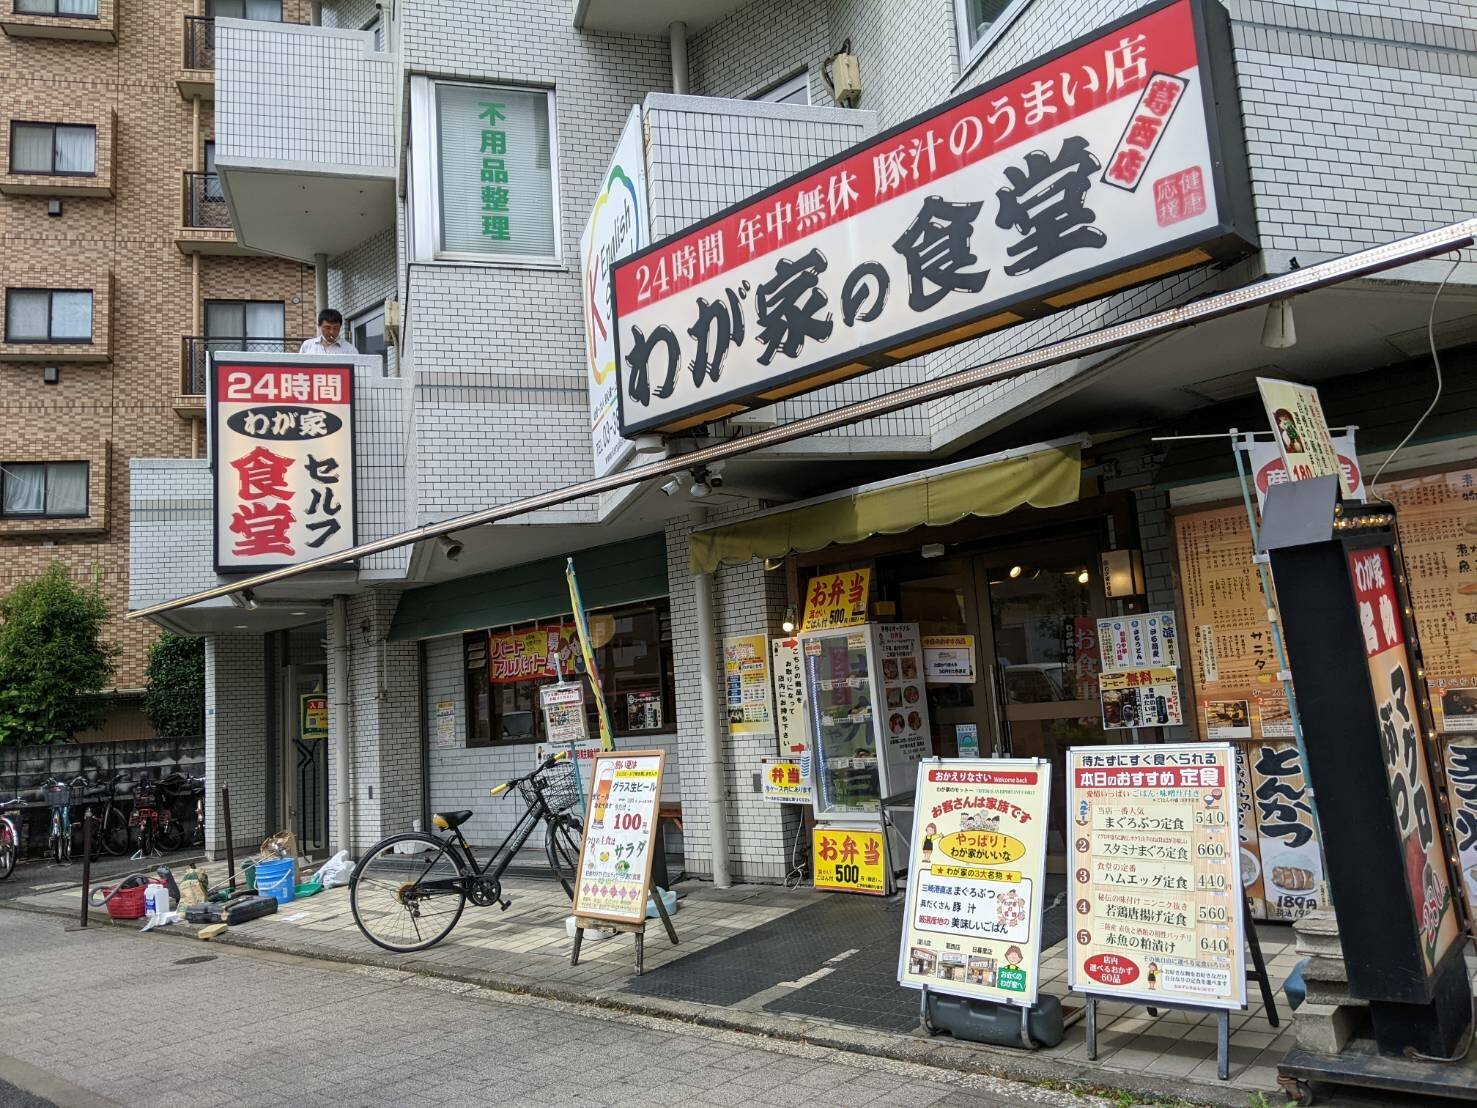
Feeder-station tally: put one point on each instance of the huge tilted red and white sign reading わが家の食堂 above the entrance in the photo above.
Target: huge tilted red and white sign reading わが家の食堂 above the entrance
(1106, 165)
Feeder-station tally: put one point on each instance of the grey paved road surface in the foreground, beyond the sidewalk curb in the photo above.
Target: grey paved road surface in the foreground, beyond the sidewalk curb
(165, 1029)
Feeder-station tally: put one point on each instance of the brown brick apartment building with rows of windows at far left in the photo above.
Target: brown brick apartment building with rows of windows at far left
(119, 270)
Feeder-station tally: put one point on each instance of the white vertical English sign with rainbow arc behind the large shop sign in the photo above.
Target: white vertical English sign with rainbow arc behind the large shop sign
(620, 225)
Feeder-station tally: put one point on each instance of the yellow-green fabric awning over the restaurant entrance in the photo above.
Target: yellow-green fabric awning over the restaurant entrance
(1045, 476)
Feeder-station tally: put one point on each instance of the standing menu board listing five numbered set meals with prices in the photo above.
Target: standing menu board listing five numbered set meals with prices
(1156, 892)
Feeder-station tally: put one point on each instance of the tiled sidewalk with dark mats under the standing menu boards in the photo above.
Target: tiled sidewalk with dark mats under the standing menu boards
(789, 964)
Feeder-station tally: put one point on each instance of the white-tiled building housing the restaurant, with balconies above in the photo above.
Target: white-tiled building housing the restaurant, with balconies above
(462, 166)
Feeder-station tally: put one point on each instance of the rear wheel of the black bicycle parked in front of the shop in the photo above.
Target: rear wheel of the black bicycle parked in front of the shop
(408, 902)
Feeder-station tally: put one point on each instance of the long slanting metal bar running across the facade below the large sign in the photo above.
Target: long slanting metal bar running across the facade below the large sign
(1306, 280)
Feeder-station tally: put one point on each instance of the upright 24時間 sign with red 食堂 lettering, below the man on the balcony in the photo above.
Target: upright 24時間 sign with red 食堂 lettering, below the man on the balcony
(283, 456)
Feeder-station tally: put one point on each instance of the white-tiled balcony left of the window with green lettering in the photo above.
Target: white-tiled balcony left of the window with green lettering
(305, 137)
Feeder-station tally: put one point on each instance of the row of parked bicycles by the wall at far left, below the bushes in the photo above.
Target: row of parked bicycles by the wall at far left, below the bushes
(147, 816)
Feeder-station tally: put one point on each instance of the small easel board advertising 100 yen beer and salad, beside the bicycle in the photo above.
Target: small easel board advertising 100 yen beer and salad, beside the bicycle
(615, 861)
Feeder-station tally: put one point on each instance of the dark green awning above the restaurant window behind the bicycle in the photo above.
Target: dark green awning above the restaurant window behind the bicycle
(620, 574)
